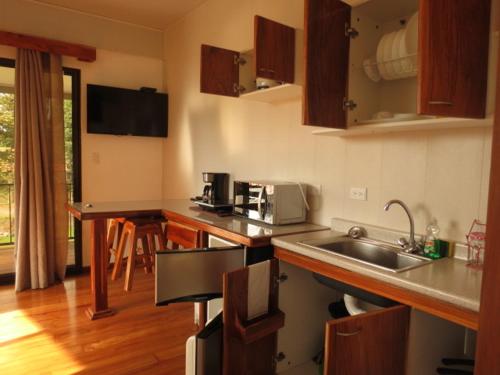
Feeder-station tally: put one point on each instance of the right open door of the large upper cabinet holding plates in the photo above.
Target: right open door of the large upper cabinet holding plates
(454, 43)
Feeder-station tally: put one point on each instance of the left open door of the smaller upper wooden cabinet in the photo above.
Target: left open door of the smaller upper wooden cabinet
(219, 71)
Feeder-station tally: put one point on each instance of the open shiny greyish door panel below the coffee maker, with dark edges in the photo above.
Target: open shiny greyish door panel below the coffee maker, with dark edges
(194, 275)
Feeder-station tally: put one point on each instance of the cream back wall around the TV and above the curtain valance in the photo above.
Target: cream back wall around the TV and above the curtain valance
(113, 168)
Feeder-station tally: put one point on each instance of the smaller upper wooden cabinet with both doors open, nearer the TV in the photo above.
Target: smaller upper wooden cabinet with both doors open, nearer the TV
(231, 73)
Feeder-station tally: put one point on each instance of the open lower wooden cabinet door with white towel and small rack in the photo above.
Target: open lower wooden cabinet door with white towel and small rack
(250, 344)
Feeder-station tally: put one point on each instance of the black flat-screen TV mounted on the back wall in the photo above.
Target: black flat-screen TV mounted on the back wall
(112, 110)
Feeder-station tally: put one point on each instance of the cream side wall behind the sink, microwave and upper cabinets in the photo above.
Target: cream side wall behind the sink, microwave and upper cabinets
(441, 175)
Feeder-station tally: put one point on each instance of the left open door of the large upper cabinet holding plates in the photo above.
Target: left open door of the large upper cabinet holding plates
(326, 62)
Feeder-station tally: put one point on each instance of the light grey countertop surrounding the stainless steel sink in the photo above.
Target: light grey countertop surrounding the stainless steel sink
(447, 279)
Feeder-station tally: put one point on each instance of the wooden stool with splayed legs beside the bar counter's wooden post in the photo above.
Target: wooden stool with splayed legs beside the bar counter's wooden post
(146, 230)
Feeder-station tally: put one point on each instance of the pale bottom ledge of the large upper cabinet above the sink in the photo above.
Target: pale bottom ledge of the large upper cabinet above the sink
(406, 126)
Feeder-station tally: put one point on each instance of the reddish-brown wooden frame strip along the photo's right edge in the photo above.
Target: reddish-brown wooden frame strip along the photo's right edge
(488, 343)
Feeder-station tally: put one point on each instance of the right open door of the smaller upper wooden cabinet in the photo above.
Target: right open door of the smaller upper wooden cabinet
(274, 50)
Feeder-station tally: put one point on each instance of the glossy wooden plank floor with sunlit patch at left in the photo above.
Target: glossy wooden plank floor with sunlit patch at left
(47, 332)
